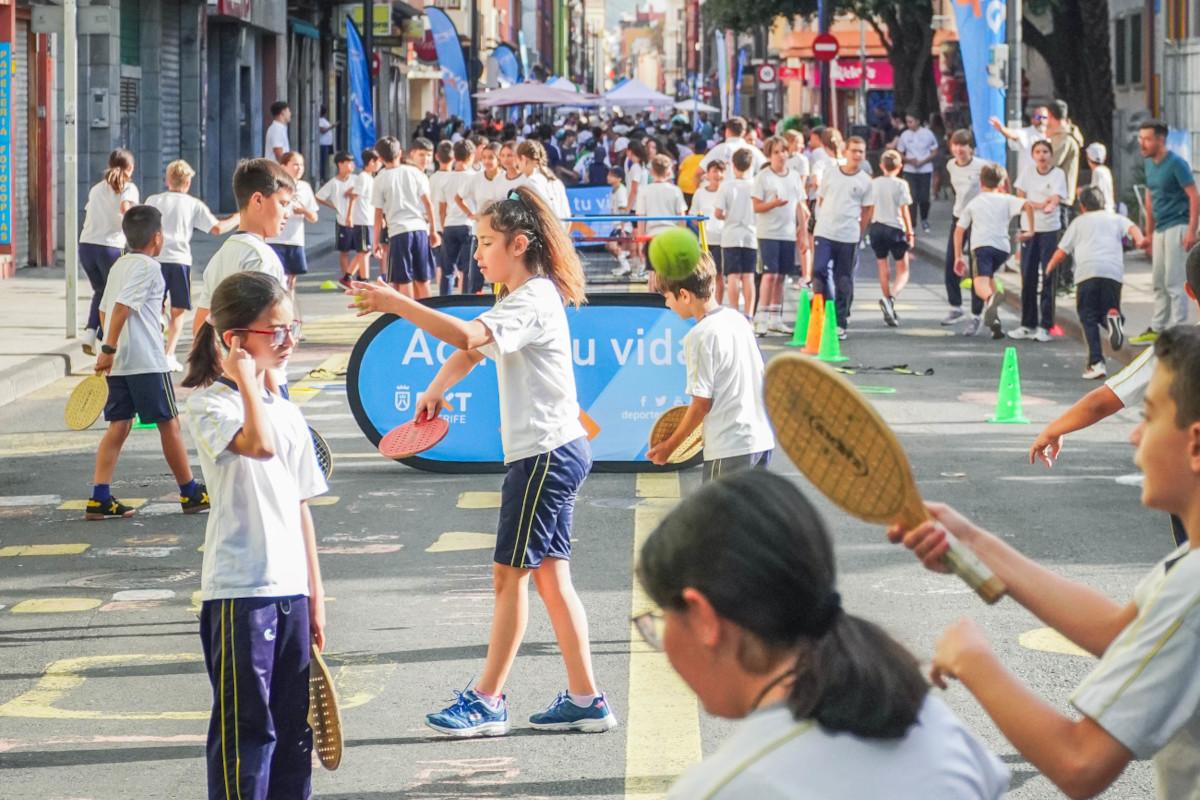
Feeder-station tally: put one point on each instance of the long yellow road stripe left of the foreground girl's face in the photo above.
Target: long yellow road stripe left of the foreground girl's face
(663, 729)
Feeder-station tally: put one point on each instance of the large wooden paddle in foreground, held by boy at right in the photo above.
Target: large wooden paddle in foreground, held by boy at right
(851, 456)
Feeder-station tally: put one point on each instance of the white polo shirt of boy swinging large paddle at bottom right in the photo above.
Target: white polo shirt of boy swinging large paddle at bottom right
(1145, 691)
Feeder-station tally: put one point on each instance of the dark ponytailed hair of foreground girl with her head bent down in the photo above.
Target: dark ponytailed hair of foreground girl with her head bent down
(759, 551)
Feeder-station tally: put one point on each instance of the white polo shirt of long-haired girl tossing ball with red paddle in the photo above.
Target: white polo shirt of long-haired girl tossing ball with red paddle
(532, 351)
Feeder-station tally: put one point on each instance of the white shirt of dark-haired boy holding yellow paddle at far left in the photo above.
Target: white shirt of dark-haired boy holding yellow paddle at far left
(136, 281)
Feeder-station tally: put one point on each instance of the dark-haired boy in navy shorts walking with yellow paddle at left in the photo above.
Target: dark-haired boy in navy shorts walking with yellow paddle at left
(136, 366)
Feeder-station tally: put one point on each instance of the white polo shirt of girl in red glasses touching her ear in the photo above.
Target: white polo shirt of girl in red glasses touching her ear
(254, 544)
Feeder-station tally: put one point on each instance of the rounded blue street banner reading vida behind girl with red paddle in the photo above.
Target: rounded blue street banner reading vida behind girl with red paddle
(629, 369)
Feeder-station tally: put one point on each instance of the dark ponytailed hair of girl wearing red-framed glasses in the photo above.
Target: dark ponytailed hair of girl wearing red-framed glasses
(237, 303)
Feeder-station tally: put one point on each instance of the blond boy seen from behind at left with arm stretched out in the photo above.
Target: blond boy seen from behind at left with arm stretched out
(182, 214)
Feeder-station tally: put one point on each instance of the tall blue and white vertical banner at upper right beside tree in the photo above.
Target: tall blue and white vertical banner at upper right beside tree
(983, 25)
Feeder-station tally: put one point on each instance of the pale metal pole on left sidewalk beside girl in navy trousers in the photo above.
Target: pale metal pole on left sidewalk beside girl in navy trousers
(71, 165)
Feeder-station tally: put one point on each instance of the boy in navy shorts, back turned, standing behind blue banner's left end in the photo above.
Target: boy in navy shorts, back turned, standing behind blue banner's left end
(401, 196)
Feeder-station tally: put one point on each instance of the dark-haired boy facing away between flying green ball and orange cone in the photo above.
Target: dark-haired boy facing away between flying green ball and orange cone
(740, 233)
